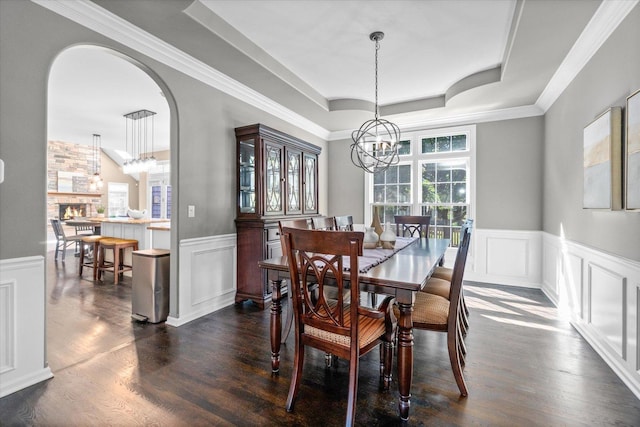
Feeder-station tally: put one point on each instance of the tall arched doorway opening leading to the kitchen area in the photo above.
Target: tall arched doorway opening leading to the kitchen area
(90, 90)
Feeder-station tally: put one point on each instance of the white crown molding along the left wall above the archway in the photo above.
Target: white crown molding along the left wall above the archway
(100, 20)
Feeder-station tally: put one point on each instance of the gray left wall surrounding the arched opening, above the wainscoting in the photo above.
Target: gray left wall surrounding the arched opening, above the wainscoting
(202, 140)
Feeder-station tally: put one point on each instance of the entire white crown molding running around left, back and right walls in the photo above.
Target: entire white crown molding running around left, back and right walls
(86, 13)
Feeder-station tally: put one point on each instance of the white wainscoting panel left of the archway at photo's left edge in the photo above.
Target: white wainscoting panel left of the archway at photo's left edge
(22, 324)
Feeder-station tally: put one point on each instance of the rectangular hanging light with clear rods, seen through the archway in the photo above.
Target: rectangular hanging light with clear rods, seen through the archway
(139, 130)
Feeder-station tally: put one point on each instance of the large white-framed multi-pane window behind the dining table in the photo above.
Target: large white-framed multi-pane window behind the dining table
(434, 177)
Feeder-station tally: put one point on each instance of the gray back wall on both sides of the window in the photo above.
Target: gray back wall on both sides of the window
(508, 176)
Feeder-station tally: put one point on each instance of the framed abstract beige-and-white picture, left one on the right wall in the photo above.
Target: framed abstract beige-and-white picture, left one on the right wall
(602, 161)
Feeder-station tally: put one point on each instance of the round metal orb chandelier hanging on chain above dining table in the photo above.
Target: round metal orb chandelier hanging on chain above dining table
(375, 144)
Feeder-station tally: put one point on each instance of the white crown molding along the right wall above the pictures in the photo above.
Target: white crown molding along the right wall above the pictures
(604, 22)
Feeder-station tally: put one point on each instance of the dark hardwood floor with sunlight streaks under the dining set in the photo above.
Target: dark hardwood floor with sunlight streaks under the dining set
(525, 367)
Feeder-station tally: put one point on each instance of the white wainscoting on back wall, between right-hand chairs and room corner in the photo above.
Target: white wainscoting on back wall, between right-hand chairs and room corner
(505, 257)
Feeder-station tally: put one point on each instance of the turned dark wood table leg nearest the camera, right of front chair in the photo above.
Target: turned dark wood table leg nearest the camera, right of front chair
(405, 359)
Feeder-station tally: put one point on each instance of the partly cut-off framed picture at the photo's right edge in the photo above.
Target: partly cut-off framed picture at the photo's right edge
(632, 153)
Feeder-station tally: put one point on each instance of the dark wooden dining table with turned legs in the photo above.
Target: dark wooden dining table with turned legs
(402, 275)
